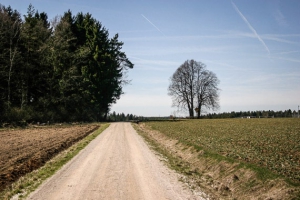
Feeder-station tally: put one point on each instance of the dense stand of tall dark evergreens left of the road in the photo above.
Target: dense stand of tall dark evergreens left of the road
(66, 69)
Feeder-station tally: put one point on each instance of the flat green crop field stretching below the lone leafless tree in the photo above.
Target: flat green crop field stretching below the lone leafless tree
(270, 143)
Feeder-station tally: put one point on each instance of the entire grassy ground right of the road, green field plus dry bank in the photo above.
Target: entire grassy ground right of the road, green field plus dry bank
(222, 146)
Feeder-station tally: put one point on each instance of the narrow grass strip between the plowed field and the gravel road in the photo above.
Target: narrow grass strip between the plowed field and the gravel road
(28, 183)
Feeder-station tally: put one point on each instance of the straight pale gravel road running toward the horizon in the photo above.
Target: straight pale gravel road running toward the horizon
(116, 165)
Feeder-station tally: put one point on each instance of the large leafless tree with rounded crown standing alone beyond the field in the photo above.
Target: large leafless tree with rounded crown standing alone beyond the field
(193, 85)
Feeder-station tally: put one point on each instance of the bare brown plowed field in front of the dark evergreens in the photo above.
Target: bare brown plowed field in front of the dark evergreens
(22, 151)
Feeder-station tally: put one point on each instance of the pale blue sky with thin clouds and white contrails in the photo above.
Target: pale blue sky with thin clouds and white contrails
(252, 46)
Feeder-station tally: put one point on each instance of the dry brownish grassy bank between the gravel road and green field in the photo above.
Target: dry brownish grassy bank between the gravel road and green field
(220, 179)
